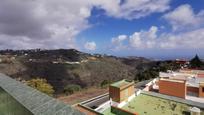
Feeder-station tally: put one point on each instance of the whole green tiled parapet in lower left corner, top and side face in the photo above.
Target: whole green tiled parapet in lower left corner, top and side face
(21, 99)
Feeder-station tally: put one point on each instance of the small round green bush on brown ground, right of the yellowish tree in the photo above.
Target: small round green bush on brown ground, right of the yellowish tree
(70, 89)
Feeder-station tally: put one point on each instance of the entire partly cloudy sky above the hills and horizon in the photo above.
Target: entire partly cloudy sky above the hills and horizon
(161, 29)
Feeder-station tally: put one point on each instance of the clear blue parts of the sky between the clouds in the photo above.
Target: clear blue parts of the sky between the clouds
(105, 28)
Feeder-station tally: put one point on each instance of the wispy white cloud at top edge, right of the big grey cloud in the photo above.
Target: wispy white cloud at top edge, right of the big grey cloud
(134, 9)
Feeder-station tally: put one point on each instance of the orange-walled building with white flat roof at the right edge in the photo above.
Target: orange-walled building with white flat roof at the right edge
(184, 84)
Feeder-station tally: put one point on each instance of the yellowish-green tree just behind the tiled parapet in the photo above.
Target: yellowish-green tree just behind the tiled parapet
(41, 85)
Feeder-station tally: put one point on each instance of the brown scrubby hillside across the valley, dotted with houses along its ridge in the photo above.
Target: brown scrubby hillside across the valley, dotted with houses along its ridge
(62, 67)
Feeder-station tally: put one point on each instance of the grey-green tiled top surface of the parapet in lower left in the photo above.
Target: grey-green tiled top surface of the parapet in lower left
(36, 102)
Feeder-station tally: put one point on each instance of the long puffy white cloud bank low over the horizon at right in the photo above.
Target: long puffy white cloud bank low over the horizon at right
(150, 40)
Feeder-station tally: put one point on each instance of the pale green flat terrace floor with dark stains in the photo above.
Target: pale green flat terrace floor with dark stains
(149, 105)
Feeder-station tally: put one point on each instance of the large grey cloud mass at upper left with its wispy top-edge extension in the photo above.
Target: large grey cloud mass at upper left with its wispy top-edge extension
(55, 23)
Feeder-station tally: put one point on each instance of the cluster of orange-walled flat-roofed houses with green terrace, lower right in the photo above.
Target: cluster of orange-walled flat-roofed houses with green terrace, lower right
(181, 92)
